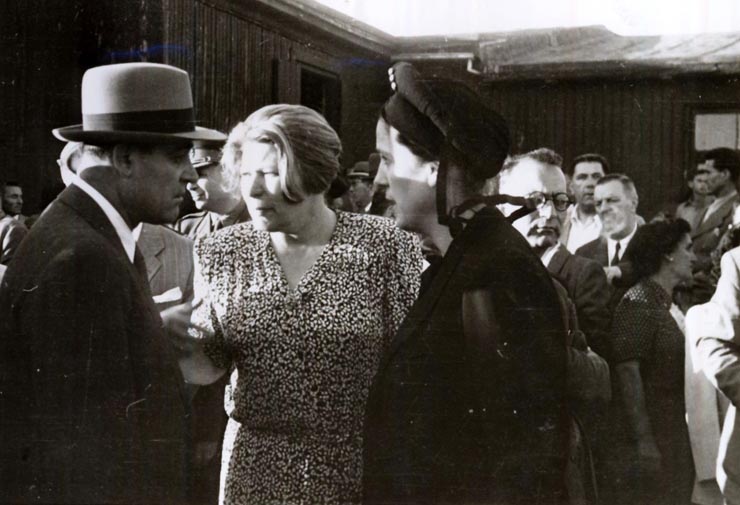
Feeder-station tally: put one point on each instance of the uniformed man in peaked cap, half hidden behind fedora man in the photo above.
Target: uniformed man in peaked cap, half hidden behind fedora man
(215, 194)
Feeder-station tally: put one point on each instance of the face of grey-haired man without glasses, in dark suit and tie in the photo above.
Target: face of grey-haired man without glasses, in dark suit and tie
(617, 209)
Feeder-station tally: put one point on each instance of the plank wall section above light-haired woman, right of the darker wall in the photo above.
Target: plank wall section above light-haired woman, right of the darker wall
(239, 64)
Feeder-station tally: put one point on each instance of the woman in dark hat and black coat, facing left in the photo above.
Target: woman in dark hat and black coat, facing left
(468, 405)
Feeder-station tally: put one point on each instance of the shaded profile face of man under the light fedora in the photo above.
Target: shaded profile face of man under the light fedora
(159, 176)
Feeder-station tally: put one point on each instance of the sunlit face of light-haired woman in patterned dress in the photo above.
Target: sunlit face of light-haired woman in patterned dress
(261, 190)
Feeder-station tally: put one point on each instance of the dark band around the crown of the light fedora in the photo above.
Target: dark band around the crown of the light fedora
(156, 121)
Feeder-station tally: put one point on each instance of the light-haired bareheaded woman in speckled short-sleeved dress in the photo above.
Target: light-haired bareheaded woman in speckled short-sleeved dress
(303, 301)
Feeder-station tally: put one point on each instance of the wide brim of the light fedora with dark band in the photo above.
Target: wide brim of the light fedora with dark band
(76, 133)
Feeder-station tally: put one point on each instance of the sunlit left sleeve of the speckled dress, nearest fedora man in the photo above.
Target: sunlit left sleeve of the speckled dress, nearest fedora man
(204, 314)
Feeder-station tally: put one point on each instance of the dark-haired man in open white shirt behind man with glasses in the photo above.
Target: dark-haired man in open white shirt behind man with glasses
(582, 223)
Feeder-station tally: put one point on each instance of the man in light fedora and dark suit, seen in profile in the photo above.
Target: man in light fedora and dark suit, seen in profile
(91, 400)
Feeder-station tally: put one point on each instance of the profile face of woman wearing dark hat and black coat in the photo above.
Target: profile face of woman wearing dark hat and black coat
(411, 180)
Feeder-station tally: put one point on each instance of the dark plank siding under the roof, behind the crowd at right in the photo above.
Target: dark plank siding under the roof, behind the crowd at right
(643, 127)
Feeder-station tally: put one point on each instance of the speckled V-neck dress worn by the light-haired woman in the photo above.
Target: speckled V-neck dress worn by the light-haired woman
(306, 356)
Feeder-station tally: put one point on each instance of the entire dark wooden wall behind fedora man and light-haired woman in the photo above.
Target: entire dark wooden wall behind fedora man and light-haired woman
(240, 57)
